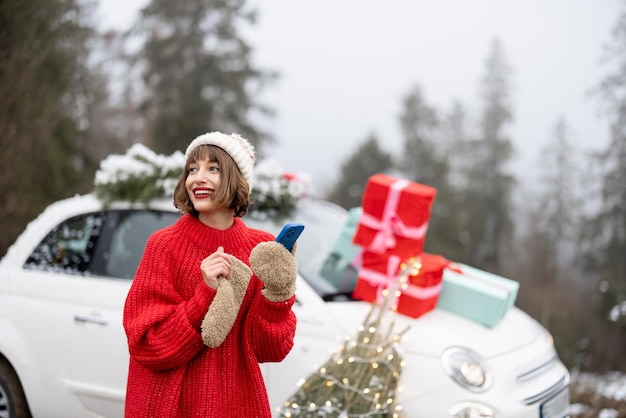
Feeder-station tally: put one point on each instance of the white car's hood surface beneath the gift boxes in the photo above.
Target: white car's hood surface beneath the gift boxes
(433, 332)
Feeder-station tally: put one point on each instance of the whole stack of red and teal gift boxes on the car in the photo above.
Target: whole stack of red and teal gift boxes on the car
(387, 260)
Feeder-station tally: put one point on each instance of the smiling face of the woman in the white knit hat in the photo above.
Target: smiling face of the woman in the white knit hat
(203, 179)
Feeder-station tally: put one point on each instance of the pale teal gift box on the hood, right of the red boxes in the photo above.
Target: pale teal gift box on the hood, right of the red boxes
(476, 294)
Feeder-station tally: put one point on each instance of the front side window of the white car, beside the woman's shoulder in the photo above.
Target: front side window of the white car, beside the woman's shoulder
(129, 232)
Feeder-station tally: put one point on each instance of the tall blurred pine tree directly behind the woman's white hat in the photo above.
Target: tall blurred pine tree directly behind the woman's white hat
(198, 72)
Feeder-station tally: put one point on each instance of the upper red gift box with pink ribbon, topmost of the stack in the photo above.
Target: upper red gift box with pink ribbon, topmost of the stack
(395, 216)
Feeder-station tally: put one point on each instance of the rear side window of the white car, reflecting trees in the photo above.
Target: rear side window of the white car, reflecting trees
(69, 247)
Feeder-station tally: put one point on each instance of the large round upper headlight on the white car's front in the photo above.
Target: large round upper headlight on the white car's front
(466, 368)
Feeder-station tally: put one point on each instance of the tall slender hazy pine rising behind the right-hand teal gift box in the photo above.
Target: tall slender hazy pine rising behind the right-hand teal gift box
(488, 195)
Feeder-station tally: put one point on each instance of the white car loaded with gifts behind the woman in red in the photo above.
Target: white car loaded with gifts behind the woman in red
(63, 350)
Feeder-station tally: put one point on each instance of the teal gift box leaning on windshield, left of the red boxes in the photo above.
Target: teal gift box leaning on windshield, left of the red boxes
(341, 266)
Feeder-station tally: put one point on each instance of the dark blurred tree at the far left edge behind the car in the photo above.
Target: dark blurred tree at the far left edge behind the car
(46, 87)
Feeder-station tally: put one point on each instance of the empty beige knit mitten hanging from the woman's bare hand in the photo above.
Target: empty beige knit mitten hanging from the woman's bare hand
(224, 308)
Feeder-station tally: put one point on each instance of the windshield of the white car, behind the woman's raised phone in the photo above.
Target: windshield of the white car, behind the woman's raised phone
(323, 222)
